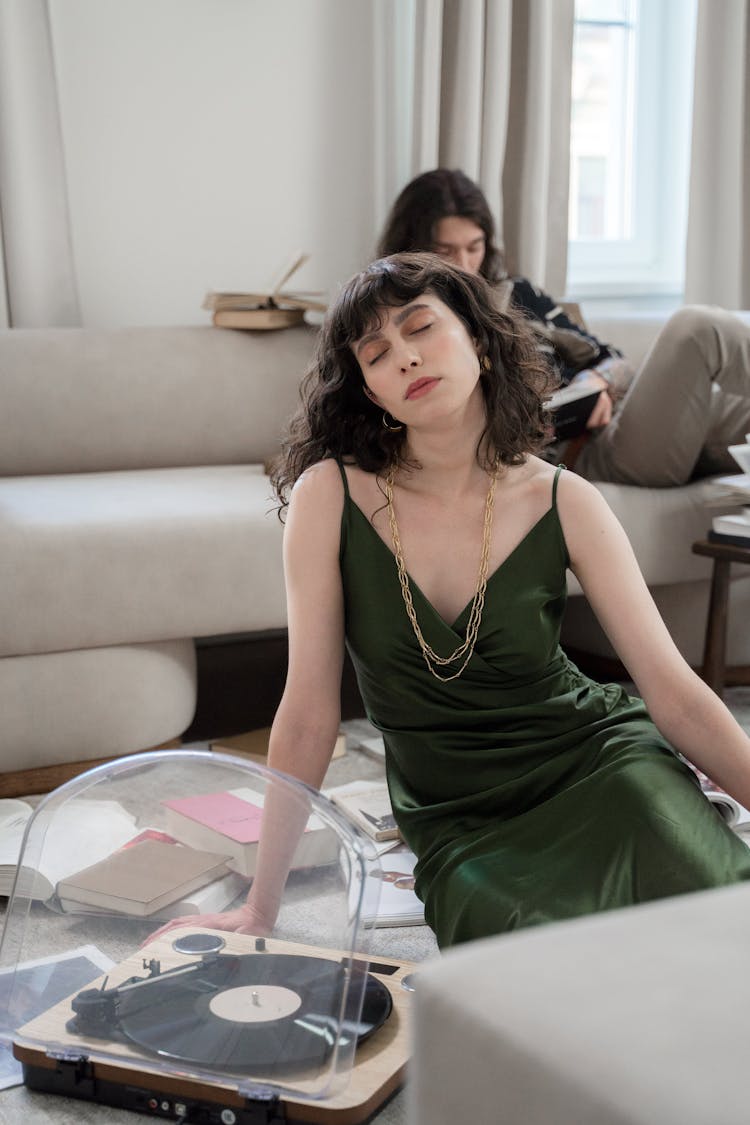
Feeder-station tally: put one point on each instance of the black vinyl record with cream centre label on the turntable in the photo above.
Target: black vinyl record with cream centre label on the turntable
(259, 1013)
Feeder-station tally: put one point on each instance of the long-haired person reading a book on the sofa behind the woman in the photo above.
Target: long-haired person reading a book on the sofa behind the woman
(690, 401)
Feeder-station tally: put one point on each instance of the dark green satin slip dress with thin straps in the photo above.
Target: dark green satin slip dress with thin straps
(528, 791)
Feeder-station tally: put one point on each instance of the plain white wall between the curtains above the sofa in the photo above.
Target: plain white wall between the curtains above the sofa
(206, 141)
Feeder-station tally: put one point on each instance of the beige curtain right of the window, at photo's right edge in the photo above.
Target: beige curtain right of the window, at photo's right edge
(718, 259)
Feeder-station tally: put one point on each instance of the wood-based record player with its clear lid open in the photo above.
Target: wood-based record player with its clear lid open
(196, 1023)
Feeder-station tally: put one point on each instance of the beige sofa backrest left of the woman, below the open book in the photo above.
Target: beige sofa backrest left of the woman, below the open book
(88, 400)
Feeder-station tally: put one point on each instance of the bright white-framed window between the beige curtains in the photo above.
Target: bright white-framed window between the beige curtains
(631, 111)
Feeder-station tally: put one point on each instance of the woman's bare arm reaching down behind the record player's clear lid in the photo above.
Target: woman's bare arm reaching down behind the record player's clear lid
(306, 725)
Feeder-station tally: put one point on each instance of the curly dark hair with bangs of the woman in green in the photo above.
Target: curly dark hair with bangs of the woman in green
(338, 420)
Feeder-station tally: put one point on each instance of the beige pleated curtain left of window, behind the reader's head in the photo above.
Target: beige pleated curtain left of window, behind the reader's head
(492, 95)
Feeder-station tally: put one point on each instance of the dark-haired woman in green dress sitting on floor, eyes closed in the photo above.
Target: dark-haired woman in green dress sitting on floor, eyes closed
(424, 532)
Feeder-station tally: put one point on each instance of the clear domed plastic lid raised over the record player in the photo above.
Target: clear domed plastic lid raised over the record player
(113, 961)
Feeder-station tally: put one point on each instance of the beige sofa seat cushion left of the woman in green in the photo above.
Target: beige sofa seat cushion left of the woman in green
(113, 559)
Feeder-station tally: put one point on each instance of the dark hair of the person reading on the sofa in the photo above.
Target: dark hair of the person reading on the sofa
(431, 197)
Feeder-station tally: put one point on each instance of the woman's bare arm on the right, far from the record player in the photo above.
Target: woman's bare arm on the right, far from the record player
(685, 710)
